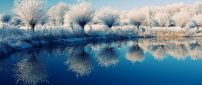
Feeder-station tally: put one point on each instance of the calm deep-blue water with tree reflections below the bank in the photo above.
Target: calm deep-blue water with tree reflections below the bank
(162, 61)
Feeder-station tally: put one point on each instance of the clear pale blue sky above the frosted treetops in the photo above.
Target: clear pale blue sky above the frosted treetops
(6, 5)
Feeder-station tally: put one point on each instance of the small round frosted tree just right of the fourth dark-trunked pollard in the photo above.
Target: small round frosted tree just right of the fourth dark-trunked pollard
(162, 18)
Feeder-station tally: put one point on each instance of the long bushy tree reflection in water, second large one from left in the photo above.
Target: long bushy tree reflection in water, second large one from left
(79, 61)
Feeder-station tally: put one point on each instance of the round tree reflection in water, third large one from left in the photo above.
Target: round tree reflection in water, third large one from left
(107, 56)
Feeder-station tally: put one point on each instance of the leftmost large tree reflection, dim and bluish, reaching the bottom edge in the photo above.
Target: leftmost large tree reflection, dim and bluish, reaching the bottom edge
(30, 70)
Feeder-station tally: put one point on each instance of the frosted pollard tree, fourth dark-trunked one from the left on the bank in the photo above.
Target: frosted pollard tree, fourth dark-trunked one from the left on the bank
(137, 17)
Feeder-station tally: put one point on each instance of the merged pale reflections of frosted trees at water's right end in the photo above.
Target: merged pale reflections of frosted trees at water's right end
(179, 49)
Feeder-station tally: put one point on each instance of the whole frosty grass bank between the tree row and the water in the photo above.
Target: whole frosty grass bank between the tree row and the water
(16, 39)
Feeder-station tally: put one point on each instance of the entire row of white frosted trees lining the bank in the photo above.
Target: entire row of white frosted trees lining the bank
(33, 12)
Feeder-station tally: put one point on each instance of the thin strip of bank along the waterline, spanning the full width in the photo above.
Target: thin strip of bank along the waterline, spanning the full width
(24, 45)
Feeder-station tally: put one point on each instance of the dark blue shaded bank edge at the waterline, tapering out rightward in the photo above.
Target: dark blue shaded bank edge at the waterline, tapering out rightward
(24, 44)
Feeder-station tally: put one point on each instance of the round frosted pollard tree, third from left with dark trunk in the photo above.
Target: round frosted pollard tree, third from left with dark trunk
(108, 16)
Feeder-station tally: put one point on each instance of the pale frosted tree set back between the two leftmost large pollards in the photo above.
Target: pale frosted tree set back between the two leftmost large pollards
(56, 13)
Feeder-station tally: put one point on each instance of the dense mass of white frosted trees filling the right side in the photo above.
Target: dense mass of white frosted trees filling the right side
(181, 15)
